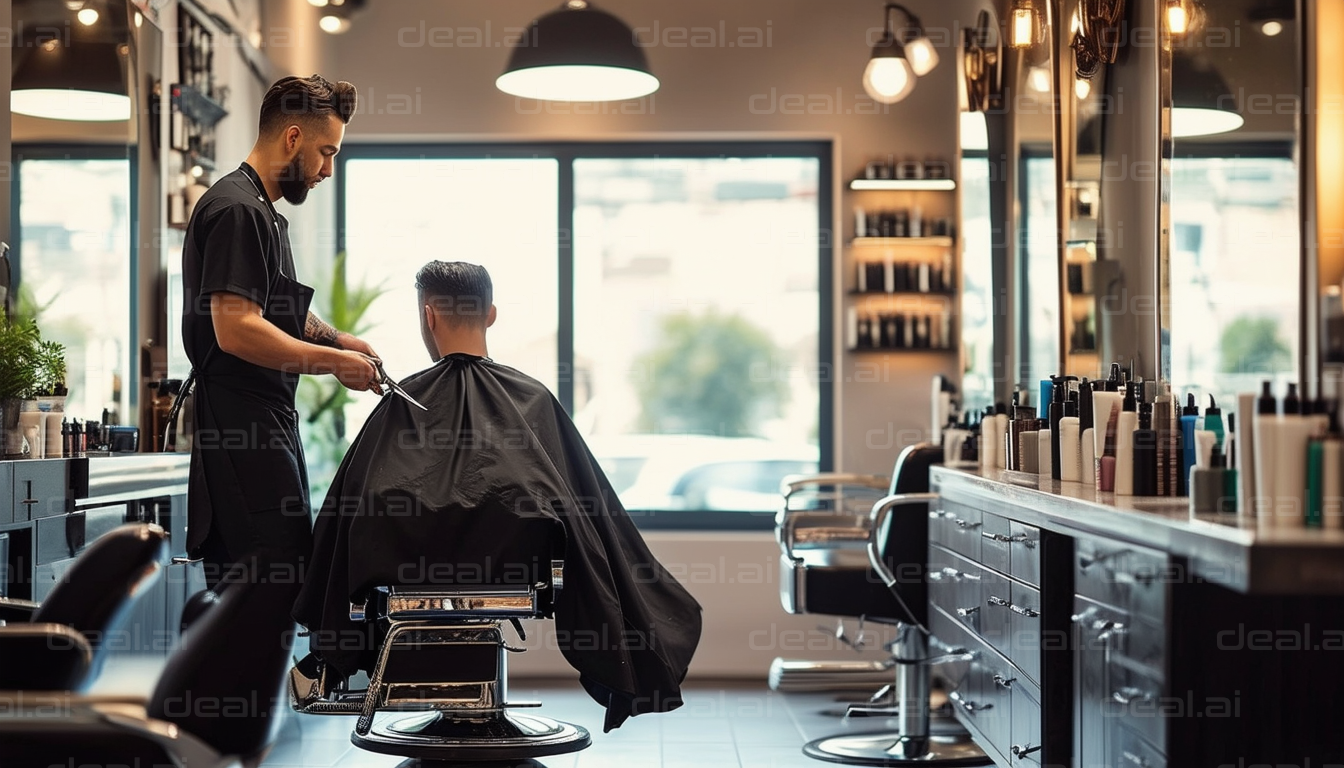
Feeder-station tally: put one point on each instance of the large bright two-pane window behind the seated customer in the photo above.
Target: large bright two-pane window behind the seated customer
(683, 322)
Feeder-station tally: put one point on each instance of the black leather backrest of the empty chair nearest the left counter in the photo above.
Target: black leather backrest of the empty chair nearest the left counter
(99, 590)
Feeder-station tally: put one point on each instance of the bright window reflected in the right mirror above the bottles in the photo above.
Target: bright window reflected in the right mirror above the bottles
(1234, 275)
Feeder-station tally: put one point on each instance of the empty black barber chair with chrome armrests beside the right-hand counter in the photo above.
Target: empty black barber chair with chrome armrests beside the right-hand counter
(880, 576)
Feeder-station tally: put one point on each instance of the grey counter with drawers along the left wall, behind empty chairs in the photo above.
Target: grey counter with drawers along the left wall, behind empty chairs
(60, 506)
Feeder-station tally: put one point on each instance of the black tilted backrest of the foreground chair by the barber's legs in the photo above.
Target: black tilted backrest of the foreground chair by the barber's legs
(224, 683)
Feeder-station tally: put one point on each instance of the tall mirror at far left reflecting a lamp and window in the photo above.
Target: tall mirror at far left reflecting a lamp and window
(83, 185)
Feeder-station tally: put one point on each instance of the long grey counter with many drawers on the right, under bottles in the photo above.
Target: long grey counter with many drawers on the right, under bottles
(1123, 633)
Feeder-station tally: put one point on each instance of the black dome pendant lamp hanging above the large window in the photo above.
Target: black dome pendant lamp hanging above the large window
(579, 53)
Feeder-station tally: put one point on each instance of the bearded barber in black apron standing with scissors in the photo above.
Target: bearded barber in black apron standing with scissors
(249, 336)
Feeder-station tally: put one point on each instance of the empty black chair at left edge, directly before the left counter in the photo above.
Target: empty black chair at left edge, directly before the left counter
(61, 644)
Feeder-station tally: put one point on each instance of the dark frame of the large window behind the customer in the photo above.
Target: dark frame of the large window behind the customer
(565, 154)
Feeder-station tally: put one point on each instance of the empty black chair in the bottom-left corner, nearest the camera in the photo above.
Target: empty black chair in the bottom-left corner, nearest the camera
(216, 704)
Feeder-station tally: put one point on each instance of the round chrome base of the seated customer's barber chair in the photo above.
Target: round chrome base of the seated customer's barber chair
(497, 736)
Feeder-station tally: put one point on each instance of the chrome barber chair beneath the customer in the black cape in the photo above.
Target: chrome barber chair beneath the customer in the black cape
(444, 654)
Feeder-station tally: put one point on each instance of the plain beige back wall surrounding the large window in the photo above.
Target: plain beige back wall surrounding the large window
(804, 83)
